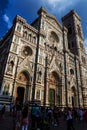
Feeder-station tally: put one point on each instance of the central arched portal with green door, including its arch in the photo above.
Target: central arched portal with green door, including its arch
(55, 89)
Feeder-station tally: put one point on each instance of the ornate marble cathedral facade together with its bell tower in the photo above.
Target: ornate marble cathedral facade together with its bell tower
(45, 61)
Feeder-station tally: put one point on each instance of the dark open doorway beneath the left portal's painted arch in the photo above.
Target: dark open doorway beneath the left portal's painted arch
(20, 94)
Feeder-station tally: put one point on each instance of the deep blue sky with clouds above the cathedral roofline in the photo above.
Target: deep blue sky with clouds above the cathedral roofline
(28, 10)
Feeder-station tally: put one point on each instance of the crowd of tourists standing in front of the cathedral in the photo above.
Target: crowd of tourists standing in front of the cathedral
(35, 117)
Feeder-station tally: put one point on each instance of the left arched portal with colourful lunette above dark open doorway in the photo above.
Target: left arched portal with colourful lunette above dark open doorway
(23, 89)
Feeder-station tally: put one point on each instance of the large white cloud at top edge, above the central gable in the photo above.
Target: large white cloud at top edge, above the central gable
(59, 5)
